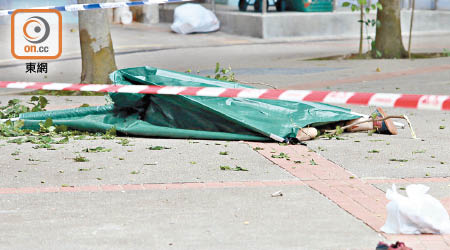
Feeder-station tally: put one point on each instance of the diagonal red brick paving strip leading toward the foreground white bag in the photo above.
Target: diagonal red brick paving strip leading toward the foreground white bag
(358, 197)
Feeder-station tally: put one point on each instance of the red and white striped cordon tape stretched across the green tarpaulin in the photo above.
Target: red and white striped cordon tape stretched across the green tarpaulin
(430, 102)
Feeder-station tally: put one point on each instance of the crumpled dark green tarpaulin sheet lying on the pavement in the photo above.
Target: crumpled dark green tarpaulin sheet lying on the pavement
(195, 117)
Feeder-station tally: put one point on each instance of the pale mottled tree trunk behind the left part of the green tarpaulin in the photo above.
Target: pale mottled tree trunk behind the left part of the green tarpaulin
(97, 53)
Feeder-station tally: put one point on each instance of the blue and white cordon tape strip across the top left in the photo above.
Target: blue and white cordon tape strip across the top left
(92, 6)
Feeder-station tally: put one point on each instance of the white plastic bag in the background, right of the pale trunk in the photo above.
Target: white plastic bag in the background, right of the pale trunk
(192, 18)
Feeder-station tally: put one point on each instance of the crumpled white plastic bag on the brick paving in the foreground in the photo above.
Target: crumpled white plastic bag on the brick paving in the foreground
(417, 213)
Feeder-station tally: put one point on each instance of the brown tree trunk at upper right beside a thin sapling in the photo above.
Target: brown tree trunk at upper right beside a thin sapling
(388, 39)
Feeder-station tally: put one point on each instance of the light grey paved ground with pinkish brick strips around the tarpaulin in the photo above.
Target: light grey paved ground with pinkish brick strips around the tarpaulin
(178, 198)
